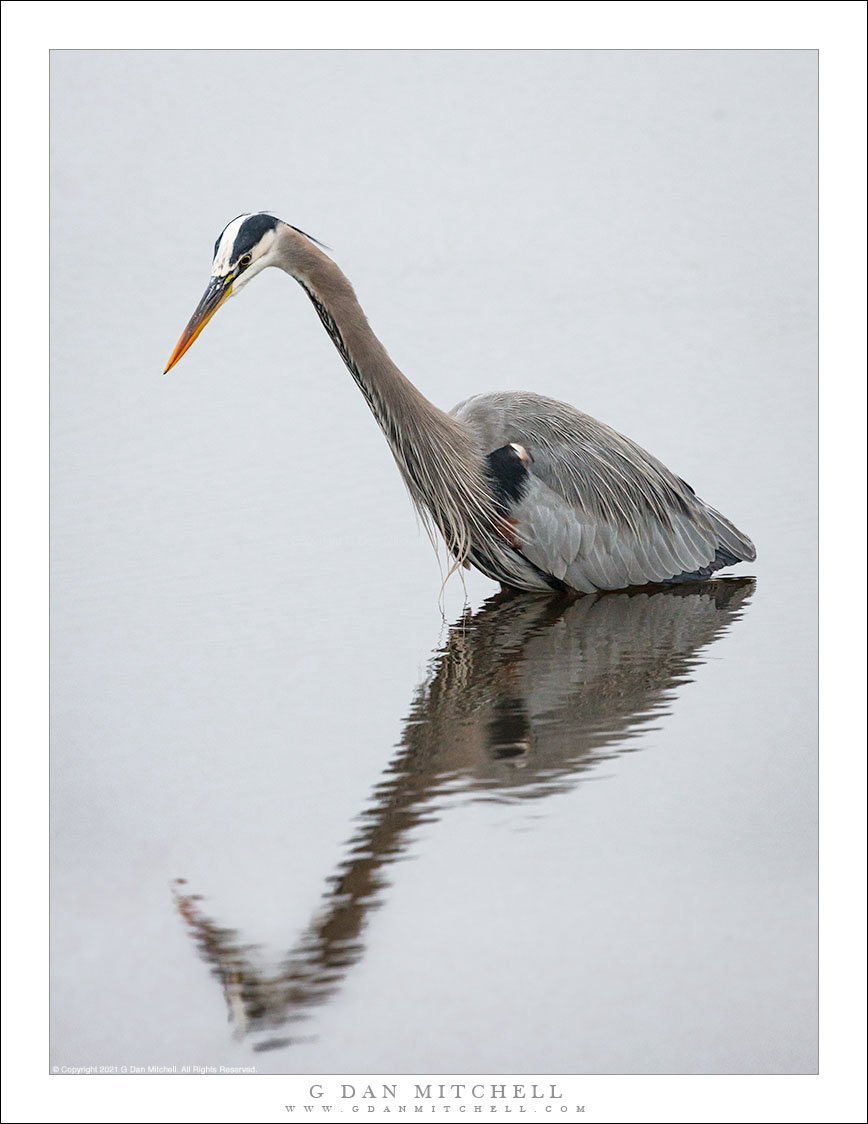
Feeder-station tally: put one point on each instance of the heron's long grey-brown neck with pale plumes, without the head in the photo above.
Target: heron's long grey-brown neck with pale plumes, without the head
(438, 457)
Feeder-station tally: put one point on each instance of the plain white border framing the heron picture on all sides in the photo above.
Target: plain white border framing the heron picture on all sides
(30, 31)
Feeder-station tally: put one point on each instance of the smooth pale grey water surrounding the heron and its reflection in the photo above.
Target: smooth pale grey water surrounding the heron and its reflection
(243, 609)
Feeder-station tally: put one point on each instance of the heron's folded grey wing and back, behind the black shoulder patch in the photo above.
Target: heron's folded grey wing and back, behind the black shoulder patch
(599, 512)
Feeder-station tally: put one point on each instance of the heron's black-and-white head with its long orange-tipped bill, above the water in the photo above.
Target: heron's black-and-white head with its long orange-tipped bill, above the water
(245, 248)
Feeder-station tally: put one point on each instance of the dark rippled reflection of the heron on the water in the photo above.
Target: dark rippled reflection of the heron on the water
(523, 699)
